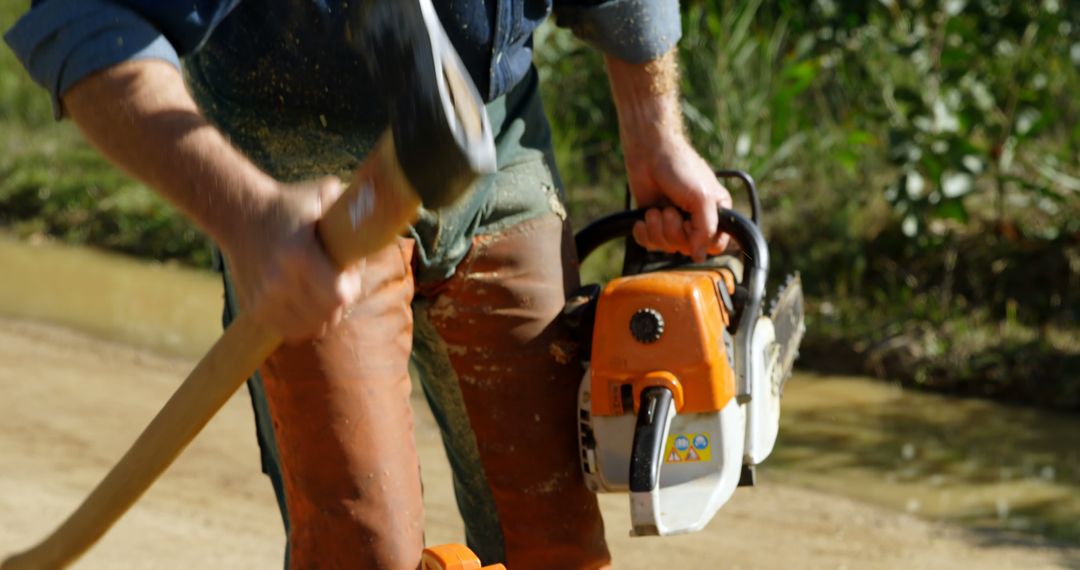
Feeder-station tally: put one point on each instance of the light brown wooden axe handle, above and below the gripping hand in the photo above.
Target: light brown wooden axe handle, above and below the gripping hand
(370, 215)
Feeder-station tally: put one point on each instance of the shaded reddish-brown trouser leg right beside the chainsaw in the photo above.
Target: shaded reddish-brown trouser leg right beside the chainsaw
(518, 373)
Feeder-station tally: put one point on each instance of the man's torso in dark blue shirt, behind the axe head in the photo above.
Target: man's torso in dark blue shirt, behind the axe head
(294, 56)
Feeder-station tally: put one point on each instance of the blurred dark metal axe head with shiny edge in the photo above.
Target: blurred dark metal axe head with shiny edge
(442, 135)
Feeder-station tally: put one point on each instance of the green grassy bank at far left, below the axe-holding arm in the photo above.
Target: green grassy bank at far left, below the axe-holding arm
(52, 183)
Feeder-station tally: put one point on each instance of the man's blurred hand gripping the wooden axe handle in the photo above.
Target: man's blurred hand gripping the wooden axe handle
(283, 277)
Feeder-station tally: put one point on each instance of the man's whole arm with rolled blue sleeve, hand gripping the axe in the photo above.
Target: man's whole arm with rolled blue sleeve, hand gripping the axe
(138, 113)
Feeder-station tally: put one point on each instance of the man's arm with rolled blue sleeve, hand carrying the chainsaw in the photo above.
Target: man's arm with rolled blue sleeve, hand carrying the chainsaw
(666, 173)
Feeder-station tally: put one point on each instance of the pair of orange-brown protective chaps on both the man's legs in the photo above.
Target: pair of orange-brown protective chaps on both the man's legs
(502, 375)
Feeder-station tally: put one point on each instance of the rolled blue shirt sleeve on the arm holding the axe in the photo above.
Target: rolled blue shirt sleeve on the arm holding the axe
(62, 42)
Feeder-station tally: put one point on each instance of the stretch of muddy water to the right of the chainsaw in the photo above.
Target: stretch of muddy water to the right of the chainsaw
(964, 460)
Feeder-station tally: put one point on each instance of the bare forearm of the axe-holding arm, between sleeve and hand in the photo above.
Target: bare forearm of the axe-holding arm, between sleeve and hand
(141, 117)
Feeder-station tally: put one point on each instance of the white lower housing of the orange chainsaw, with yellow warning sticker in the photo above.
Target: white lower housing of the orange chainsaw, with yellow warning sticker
(690, 493)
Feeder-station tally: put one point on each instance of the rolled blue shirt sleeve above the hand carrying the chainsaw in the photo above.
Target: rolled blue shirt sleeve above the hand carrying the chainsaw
(633, 31)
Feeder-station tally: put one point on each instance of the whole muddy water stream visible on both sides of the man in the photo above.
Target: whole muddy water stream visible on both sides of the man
(970, 462)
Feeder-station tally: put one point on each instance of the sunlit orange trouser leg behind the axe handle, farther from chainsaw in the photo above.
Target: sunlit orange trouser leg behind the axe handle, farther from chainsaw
(344, 428)
